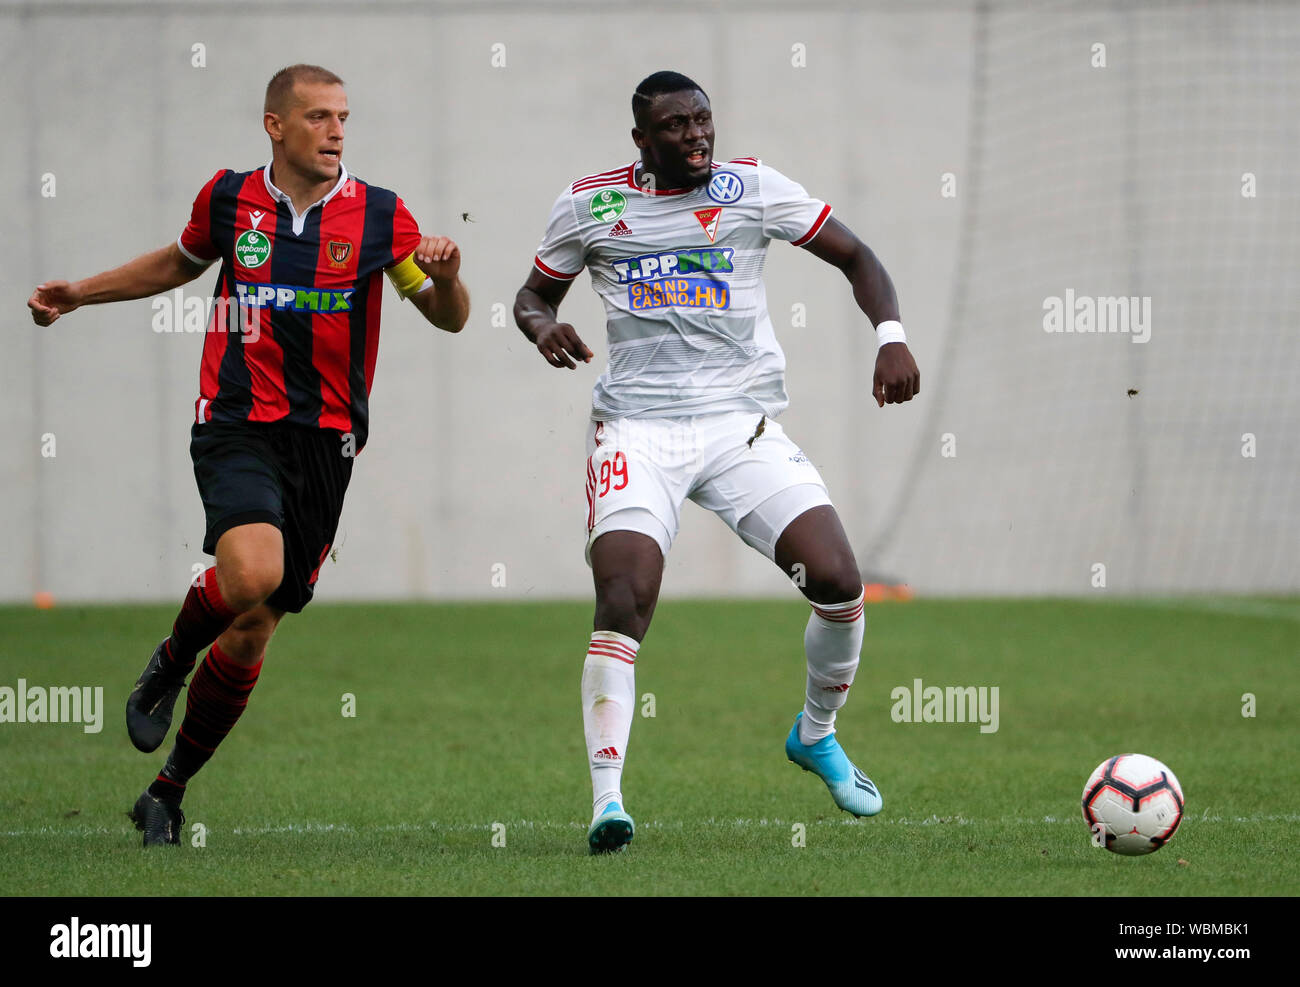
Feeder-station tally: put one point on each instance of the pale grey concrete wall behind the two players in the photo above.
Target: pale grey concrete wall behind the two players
(476, 448)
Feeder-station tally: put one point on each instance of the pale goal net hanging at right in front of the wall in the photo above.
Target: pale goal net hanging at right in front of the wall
(1160, 167)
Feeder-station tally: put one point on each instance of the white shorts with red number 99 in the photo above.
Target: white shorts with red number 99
(640, 471)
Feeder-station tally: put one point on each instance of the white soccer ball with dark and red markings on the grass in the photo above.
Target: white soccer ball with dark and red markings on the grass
(1136, 802)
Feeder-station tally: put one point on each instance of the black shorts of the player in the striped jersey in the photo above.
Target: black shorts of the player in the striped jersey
(287, 475)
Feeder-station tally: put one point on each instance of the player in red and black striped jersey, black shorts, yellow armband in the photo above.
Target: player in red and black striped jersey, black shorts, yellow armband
(283, 408)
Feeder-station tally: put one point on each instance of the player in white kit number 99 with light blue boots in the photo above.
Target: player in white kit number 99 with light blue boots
(675, 245)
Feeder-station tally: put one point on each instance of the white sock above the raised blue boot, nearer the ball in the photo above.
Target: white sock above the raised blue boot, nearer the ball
(834, 644)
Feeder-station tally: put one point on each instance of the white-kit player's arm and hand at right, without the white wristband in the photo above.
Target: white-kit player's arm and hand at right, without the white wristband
(898, 378)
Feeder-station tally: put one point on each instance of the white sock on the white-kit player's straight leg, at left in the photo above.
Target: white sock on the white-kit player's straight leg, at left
(609, 703)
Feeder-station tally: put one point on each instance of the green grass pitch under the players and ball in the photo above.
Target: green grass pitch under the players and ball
(469, 733)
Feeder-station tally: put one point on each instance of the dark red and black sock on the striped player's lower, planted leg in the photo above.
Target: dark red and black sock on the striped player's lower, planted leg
(216, 699)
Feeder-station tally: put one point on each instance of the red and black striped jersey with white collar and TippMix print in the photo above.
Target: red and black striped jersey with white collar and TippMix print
(296, 323)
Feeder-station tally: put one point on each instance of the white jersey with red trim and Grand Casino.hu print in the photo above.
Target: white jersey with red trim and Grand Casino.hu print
(682, 278)
